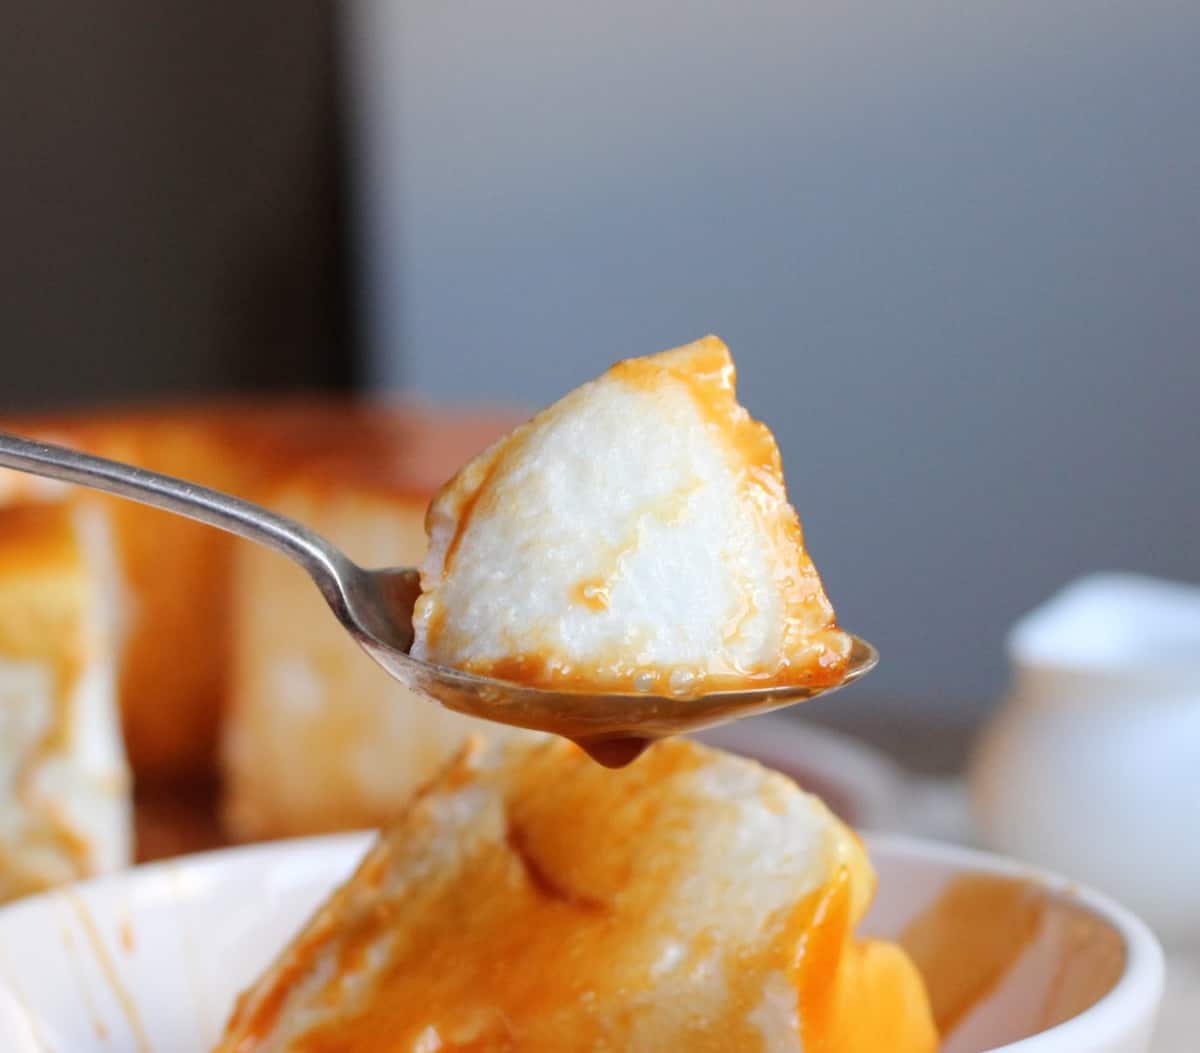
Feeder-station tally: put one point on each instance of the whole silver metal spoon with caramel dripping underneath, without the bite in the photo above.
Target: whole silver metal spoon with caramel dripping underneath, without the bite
(376, 607)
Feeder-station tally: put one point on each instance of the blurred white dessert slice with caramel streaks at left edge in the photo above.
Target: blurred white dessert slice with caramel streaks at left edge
(64, 786)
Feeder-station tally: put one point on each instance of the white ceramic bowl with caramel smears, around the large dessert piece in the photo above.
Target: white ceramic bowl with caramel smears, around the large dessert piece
(151, 961)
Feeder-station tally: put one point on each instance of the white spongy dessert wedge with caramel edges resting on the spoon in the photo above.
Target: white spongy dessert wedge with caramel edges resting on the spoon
(637, 535)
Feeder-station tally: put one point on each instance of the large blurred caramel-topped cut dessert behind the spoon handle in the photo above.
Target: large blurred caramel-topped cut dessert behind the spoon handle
(223, 641)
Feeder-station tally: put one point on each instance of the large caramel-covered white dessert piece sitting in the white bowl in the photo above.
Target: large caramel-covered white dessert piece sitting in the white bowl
(533, 901)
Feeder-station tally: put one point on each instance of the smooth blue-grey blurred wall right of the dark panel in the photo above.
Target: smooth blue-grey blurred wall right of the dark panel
(956, 249)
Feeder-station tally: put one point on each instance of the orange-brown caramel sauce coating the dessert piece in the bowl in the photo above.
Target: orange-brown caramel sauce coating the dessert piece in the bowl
(533, 941)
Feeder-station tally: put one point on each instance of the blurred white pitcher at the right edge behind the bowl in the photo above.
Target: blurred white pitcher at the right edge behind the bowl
(1093, 765)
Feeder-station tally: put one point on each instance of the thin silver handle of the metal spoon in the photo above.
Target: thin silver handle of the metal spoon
(323, 562)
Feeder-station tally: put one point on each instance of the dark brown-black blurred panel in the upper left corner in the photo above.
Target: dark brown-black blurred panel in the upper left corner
(171, 201)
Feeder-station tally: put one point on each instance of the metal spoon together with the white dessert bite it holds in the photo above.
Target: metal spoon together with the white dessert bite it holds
(623, 568)
